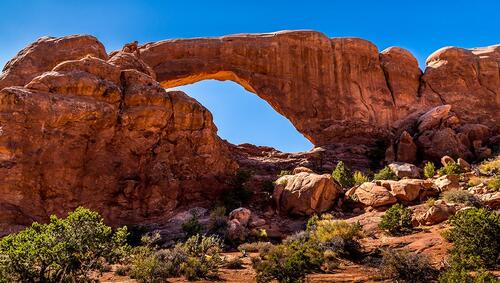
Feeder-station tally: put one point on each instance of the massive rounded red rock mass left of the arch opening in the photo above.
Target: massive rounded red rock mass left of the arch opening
(101, 134)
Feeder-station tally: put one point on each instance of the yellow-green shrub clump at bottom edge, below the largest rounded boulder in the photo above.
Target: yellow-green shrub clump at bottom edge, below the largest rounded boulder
(316, 249)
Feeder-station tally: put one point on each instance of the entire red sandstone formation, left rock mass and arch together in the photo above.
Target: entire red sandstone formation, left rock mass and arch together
(83, 127)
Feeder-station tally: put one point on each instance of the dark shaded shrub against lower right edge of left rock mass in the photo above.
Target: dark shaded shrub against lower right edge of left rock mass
(238, 194)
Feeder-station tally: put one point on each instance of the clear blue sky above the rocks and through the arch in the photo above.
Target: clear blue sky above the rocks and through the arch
(420, 26)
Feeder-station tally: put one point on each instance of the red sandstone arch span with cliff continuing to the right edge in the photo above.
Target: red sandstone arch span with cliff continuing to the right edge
(337, 90)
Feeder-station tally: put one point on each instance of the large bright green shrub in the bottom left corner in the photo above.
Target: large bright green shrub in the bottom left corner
(64, 250)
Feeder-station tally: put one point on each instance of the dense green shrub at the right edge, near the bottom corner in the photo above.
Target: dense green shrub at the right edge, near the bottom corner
(475, 234)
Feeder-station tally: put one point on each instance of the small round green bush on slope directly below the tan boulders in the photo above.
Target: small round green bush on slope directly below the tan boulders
(397, 220)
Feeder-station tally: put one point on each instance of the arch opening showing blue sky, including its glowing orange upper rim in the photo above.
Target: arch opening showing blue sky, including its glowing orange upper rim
(240, 115)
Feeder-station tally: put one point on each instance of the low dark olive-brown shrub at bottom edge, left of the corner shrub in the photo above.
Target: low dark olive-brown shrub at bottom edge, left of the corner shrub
(405, 266)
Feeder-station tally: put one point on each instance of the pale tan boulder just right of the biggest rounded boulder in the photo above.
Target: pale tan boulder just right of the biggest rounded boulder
(371, 194)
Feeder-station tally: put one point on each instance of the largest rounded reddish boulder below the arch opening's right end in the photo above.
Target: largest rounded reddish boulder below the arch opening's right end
(305, 193)
